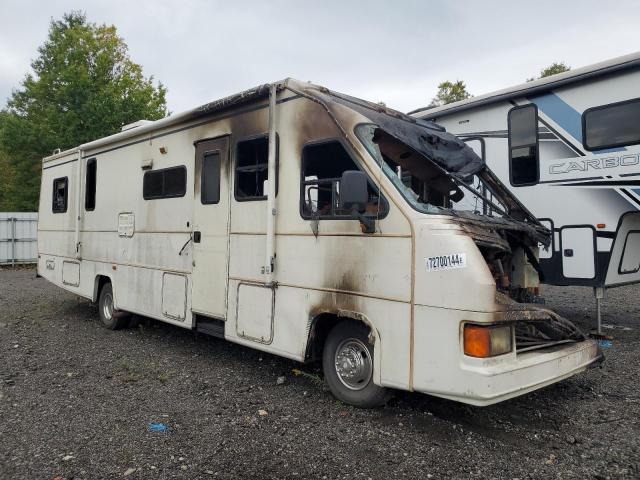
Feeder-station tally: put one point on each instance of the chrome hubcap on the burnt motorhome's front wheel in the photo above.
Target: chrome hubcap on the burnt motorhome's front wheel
(353, 364)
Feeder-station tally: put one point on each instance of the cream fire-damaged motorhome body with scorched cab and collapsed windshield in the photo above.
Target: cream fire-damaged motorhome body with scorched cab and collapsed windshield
(202, 265)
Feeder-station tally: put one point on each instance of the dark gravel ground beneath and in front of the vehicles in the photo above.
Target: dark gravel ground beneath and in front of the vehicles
(76, 402)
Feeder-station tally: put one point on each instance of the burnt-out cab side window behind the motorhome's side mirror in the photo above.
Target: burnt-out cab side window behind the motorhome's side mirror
(322, 168)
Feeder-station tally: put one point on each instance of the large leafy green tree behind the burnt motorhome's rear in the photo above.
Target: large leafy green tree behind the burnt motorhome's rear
(83, 86)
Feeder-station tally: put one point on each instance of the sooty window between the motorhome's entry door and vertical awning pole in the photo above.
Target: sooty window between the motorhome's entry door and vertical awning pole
(252, 168)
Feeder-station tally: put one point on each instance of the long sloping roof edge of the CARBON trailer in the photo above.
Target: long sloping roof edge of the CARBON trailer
(543, 84)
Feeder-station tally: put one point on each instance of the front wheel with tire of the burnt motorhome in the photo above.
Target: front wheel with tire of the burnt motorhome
(347, 361)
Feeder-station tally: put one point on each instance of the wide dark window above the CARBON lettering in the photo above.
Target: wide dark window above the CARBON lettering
(614, 125)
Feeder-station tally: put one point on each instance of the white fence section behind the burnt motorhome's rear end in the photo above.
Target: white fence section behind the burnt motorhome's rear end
(18, 237)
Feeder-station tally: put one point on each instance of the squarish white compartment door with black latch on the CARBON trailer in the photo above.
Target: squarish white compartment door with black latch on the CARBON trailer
(578, 252)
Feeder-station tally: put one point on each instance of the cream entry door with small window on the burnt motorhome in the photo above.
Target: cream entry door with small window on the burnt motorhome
(211, 228)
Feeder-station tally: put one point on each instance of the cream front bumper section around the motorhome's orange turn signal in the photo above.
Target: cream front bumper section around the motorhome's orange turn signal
(448, 373)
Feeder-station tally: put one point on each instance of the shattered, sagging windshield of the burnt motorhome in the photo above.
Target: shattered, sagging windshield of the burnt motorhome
(424, 185)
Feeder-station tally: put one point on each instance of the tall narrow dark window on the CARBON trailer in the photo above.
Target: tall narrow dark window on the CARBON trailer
(523, 145)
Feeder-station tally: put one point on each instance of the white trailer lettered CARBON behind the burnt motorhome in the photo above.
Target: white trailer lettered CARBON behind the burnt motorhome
(589, 197)
